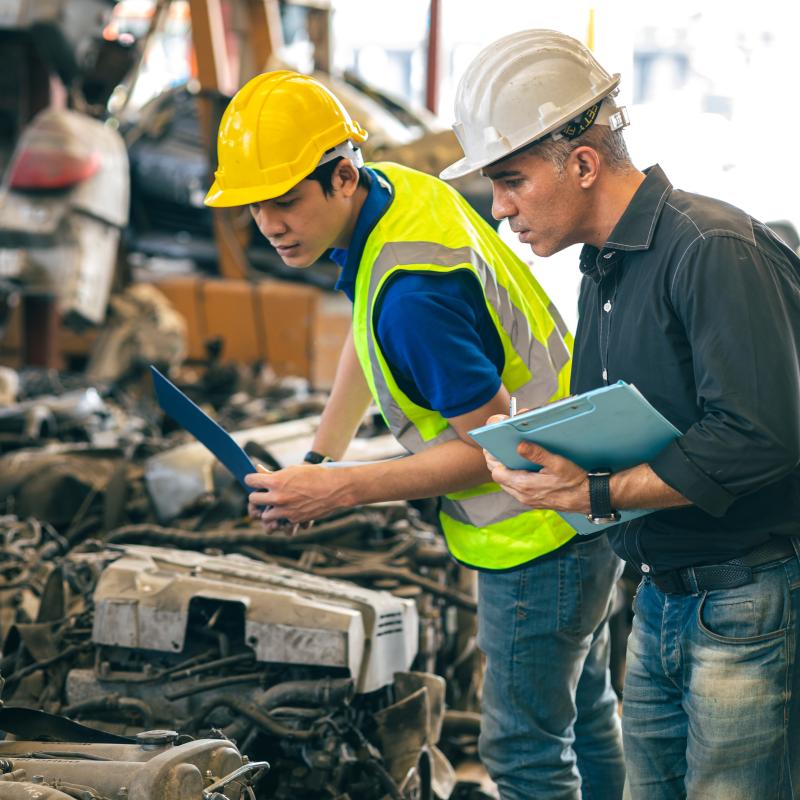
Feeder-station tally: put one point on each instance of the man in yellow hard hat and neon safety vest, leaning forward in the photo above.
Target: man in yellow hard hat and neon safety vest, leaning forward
(446, 324)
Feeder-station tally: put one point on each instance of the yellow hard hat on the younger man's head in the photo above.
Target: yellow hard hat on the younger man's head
(275, 132)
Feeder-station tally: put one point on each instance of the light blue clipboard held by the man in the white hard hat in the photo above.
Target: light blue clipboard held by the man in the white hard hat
(613, 427)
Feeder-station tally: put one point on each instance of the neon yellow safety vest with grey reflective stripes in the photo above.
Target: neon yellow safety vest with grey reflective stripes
(429, 227)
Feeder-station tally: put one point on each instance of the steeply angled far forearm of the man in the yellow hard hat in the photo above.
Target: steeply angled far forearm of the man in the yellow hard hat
(350, 397)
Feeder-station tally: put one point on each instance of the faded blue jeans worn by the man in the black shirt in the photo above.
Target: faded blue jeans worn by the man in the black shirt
(711, 706)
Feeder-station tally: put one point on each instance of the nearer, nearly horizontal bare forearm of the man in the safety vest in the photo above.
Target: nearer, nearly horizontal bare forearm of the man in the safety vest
(449, 467)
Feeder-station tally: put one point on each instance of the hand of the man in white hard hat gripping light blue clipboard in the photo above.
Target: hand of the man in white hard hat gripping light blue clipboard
(560, 484)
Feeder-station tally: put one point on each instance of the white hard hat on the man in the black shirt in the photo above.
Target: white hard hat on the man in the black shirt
(524, 87)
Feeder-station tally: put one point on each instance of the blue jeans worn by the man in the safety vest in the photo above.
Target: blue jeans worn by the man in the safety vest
(549, 725)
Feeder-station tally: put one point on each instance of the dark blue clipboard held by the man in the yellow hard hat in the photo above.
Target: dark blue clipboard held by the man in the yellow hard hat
(209, 433)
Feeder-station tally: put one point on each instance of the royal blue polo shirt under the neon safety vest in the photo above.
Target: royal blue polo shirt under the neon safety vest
(433, 328)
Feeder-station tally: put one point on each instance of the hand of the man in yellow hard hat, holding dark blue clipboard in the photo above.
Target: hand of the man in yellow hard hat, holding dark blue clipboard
(297, 494)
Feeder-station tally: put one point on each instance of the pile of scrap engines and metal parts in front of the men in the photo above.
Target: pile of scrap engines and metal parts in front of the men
(157, 643)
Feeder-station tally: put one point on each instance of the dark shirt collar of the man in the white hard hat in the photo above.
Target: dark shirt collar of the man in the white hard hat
(635, 228)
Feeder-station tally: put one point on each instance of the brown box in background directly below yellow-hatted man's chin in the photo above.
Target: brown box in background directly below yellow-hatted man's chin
(286, 313)
